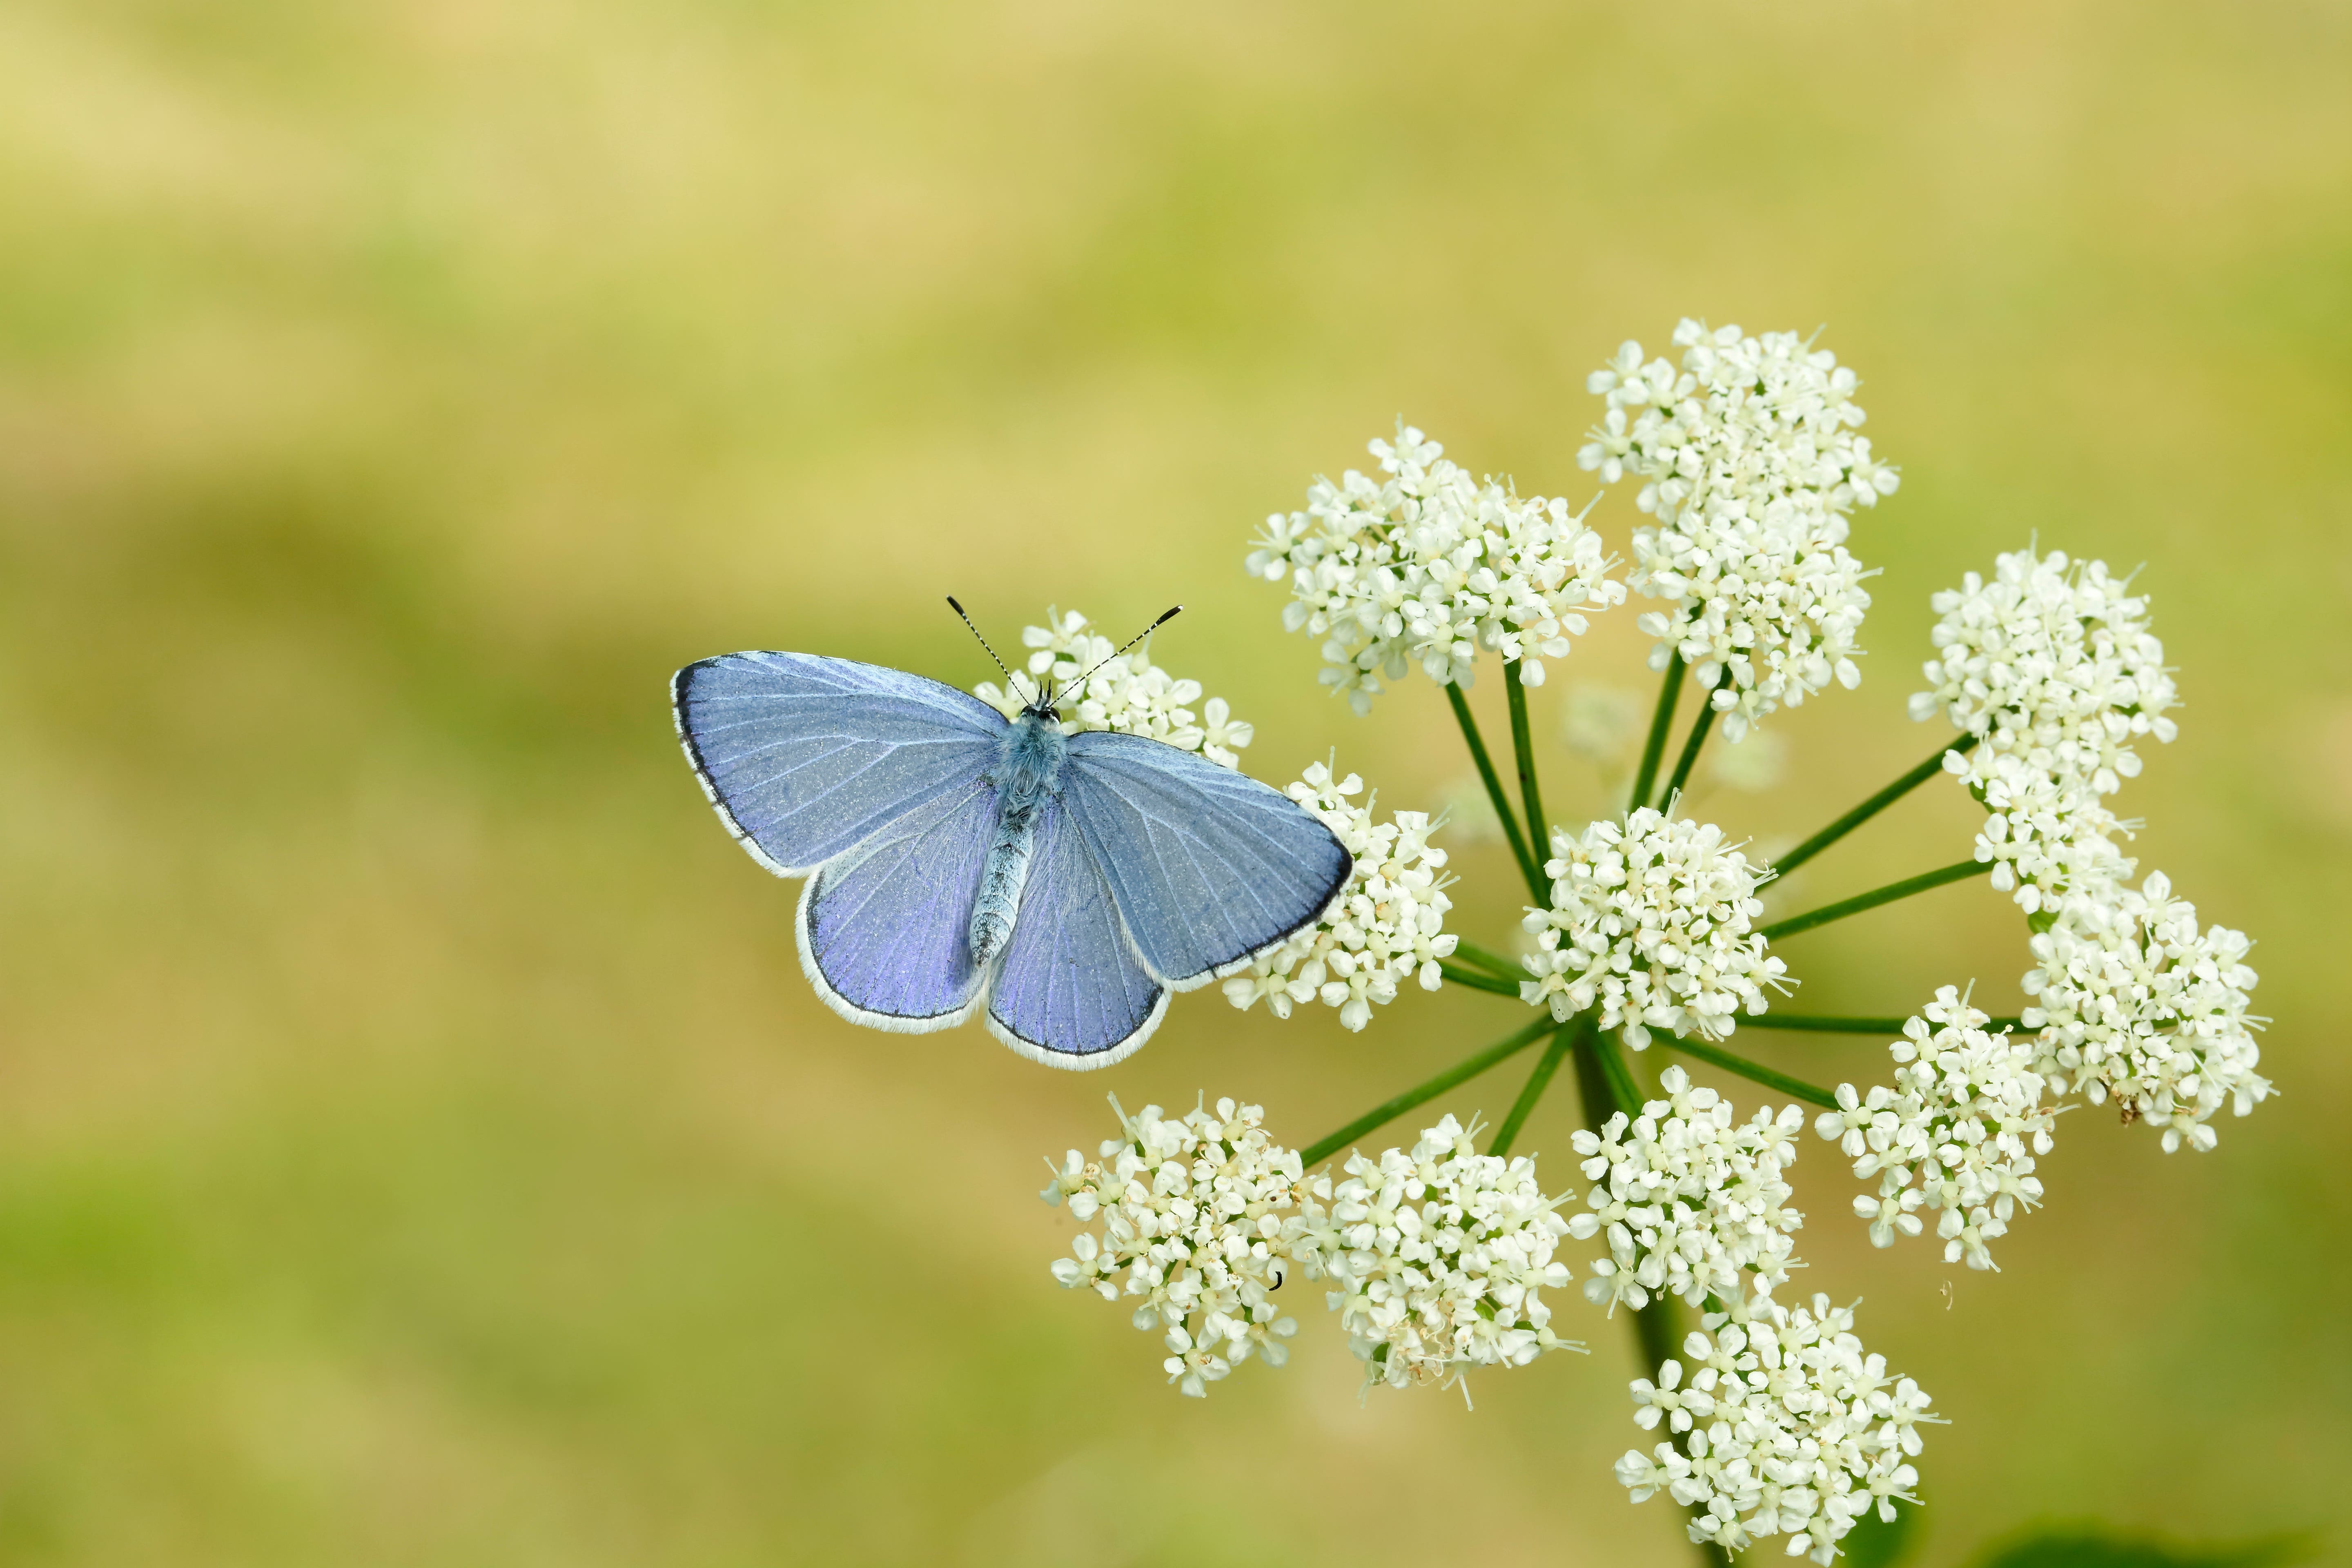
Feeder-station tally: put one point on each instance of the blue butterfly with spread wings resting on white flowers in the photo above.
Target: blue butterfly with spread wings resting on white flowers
(965, 862)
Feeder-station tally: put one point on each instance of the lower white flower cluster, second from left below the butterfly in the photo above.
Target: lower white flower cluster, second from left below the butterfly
(1441, 1259)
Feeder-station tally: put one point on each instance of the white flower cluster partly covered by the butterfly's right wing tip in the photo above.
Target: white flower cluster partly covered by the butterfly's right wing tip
(1384, 927)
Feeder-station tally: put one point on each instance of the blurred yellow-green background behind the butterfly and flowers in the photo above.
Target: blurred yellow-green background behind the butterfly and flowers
(417, 1144)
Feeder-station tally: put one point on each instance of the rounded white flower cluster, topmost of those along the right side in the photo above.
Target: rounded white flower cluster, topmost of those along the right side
(2050, 662)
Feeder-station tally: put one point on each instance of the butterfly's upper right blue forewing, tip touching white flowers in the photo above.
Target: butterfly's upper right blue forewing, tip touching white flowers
(1208, 866)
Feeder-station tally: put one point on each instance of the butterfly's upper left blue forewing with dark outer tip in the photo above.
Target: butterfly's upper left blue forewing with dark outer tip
(806, 758)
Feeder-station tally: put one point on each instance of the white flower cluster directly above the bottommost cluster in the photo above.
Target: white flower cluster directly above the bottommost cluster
(1688, 1200)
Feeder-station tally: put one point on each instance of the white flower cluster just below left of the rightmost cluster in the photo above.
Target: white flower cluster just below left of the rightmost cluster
(1965, 1118)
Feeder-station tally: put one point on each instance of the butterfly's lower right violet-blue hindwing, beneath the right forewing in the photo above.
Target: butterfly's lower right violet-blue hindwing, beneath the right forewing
(1071, 991)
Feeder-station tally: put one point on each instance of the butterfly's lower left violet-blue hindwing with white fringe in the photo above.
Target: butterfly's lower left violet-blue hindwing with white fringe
(883, 927)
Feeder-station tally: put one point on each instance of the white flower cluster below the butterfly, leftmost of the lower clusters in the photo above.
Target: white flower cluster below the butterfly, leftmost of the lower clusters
(1196, 1228)
